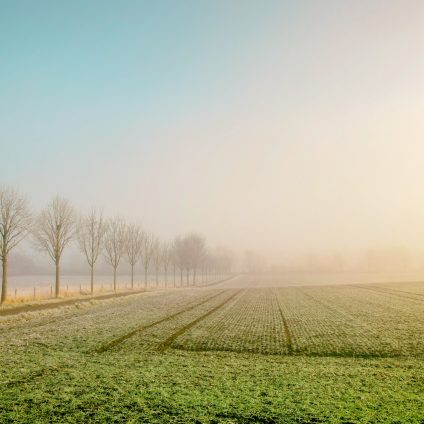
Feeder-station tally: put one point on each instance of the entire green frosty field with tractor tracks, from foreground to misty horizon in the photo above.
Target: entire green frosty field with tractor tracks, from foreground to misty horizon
(251, 349)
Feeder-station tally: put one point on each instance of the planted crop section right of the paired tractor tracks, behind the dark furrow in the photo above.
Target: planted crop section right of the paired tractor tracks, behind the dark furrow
(335, 321)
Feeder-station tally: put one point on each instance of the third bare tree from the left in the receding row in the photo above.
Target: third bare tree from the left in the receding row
(90, 233)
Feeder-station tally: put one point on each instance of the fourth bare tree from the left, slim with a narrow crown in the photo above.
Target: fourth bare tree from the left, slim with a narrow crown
(115, 244)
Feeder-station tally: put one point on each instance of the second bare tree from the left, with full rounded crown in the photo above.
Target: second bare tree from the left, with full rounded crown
(53, 231)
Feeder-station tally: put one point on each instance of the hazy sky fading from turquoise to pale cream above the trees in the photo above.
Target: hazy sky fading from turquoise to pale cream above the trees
(277, 126)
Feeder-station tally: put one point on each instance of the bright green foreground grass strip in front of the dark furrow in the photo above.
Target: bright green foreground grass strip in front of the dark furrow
(217, 387)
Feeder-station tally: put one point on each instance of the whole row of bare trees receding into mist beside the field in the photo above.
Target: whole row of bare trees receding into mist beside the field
(58, 225)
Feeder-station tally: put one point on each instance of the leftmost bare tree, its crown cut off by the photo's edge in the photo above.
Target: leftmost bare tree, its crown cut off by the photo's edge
(15, 220)
